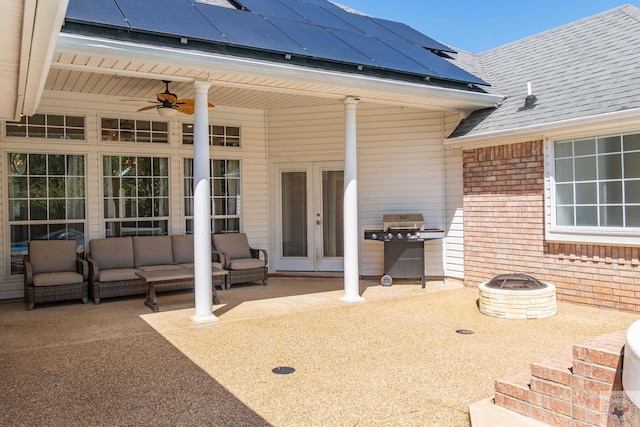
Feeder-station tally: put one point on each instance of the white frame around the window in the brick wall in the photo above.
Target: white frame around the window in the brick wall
(613, 236)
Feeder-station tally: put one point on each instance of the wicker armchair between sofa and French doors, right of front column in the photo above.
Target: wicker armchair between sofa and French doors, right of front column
(241, 261)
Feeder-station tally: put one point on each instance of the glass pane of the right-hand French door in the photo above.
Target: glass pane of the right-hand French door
(332, 202)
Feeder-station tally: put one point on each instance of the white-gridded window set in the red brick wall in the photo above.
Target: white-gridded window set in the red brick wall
(596, 186)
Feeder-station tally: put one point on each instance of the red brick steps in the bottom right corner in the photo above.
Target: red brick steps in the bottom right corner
(573, 388)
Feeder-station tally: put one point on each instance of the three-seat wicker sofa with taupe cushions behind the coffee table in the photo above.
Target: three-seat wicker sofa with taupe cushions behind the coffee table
(113, 263)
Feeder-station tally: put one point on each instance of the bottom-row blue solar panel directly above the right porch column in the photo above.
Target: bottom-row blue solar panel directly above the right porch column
(319, 43)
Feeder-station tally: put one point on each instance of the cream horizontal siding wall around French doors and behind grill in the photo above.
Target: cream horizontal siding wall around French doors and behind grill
(399, 165)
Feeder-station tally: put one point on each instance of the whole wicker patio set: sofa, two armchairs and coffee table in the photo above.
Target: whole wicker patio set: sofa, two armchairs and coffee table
(121, 266)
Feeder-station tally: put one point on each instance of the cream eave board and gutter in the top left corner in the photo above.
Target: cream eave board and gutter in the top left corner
(42, 20)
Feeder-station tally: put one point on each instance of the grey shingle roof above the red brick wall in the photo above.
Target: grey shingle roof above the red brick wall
(586, 68)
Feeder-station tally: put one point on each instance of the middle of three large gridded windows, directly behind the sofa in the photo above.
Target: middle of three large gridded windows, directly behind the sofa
(136, 195)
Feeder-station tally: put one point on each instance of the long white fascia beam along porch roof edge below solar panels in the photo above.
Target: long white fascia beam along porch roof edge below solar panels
(367, 88)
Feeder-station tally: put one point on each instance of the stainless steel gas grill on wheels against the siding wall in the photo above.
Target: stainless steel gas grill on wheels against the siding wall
(403, 237)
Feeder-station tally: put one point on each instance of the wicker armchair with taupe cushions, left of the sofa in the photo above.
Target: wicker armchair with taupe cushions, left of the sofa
(54, 271)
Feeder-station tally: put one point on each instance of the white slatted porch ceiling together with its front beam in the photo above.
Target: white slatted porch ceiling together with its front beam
(111, 68)
